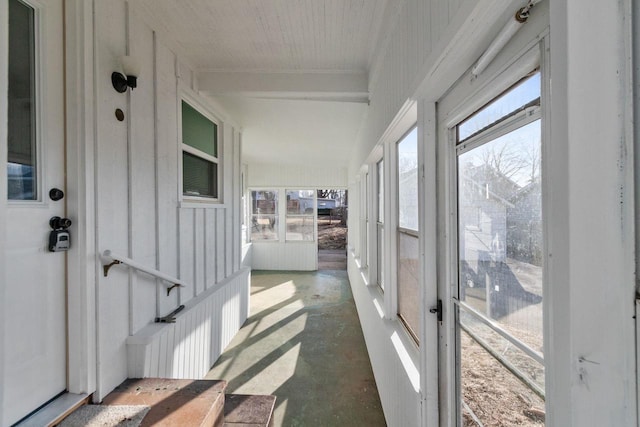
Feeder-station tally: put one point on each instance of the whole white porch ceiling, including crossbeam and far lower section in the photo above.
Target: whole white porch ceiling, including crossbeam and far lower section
(292, 73)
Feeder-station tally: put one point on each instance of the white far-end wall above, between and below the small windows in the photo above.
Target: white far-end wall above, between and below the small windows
(281, 255)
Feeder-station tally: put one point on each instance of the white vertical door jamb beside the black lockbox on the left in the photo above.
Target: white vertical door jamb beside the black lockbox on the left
(83, 257)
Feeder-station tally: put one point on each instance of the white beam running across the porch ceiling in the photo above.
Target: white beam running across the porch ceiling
(323, 86)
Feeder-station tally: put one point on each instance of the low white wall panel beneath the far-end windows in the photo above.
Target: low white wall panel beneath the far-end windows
(294, 256)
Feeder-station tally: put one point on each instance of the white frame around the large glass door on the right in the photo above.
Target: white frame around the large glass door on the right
(523, 52)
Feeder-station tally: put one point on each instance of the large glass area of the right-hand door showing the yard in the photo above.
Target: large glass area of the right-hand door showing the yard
(499, 297)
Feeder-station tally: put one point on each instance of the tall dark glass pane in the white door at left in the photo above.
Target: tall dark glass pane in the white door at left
(21, 143)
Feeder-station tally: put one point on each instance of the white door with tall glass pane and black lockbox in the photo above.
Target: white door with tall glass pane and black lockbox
(34, 309)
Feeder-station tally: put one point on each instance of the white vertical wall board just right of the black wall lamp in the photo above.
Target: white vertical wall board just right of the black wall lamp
(142, 179)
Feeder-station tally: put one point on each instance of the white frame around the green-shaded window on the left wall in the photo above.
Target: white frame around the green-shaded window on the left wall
(191, 99)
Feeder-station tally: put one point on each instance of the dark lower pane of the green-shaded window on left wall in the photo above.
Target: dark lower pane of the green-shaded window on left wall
(199, 176)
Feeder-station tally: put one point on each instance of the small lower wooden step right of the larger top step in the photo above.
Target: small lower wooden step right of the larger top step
(243, 410)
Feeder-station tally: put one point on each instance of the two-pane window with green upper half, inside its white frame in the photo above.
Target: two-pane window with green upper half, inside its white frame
(199, 154)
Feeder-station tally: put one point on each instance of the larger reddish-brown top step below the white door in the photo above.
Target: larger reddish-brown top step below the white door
(187, 403)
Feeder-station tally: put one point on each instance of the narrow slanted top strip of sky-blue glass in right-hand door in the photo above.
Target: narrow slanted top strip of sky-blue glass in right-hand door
(522, 94)
